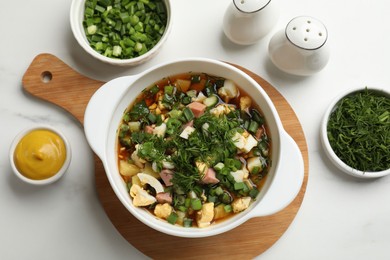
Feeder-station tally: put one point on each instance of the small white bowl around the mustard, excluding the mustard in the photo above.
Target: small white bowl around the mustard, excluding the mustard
(55, 177)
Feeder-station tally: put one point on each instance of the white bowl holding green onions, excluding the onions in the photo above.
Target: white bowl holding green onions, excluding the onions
(76, 23)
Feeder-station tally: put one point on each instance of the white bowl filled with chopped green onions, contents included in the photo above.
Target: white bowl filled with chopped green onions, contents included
(121, 32)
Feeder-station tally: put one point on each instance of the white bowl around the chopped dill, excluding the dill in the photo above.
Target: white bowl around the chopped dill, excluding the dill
(327, 147)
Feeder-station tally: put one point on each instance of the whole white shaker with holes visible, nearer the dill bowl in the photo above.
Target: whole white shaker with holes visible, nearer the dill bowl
(301, 48)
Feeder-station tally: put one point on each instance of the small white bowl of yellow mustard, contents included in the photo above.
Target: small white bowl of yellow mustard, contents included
(40, 155)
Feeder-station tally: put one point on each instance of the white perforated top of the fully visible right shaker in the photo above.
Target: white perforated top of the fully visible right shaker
(306, 32)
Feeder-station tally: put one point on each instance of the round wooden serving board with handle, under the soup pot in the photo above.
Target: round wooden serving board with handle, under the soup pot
(52, 80)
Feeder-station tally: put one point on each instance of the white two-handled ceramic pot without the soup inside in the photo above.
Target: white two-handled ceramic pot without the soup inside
(105, 110)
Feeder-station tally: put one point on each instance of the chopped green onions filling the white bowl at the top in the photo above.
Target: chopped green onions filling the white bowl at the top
(126, 24)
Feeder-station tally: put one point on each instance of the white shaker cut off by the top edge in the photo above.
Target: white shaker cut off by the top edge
(247, 21)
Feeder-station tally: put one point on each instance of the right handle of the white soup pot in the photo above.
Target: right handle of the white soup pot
(287, 182)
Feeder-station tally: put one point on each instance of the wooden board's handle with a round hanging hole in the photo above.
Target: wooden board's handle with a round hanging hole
(52, 80)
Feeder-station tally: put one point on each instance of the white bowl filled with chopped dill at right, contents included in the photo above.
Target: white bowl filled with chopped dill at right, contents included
(355, 132)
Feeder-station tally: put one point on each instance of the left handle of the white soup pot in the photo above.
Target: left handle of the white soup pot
(99, 111)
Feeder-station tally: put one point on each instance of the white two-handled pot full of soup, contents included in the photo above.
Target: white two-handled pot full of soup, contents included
(193, 147)
